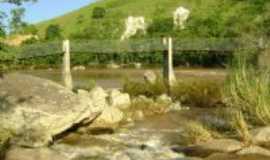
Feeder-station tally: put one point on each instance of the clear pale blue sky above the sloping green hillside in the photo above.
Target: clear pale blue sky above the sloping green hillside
(47, 9)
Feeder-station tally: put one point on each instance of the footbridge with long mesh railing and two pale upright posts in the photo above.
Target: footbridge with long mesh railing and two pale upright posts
(166, 45)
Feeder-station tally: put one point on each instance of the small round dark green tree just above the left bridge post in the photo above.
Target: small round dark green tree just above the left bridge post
(53, 32)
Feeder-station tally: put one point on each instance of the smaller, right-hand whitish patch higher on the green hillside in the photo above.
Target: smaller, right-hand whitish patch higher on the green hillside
(180, 16)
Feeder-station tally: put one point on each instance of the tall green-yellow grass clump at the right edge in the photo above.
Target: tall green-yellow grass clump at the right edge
(248, 89)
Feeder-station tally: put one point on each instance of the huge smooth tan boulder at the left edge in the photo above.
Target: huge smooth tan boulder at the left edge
(37, 110)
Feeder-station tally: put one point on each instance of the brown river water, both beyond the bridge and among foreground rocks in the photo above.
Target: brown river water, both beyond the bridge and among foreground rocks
(149, 139)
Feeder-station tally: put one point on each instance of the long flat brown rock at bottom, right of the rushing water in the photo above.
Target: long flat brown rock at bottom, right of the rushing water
(207, 148)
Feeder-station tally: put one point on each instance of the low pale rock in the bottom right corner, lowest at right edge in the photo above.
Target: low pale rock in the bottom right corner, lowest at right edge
(254, 150)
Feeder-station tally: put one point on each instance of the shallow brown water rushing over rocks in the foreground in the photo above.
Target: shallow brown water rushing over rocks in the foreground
(150, 139)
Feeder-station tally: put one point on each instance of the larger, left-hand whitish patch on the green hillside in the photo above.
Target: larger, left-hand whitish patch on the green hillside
(133, 25)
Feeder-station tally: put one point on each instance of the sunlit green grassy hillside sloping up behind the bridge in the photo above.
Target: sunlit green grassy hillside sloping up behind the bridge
(209, 18)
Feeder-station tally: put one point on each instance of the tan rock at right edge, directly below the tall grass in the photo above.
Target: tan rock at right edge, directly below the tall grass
(261, 135)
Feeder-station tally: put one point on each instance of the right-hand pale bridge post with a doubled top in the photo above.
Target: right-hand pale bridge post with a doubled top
(168, 71)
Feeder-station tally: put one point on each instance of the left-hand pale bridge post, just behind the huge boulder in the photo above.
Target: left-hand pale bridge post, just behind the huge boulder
(66, 71)
